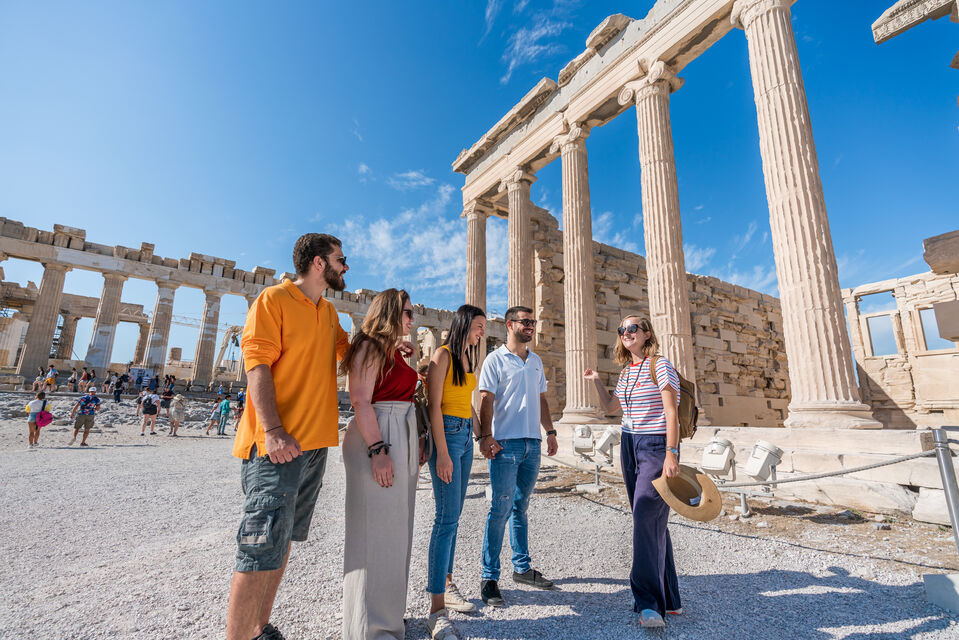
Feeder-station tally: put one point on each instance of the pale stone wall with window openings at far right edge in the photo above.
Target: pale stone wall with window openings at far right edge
(917, 386)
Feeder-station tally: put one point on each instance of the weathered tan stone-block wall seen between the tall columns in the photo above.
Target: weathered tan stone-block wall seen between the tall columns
(737, 333)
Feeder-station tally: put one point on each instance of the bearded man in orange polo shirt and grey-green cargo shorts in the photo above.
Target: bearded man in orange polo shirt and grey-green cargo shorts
(291, 342)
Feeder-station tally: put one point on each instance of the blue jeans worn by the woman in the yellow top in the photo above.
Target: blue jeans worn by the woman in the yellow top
(449, 501)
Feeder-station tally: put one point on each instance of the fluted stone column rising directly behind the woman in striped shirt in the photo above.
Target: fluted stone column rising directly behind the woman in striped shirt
(665, 263)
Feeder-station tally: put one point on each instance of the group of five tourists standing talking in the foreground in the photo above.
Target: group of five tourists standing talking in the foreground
(293, 338)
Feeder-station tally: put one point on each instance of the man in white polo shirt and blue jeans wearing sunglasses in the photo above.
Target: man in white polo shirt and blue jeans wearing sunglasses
(513, 390)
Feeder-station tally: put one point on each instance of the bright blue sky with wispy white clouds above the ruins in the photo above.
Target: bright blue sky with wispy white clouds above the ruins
(230, 128)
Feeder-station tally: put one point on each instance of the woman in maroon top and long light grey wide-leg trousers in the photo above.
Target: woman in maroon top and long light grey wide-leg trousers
(381, 455)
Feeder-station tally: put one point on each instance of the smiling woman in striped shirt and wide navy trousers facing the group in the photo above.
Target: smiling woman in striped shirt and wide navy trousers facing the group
(649, 447)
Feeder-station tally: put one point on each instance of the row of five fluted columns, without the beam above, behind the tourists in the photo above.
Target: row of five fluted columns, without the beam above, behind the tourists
(824, 392)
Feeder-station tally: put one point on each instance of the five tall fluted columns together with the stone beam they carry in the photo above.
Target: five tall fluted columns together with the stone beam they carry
(634, 63)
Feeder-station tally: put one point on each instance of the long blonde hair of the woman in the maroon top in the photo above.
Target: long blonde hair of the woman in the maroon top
(382, 328)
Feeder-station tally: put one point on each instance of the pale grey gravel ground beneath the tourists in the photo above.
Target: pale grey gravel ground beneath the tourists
(134, 538)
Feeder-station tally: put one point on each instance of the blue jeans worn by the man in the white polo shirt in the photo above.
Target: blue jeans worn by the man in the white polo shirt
(512, 475)
